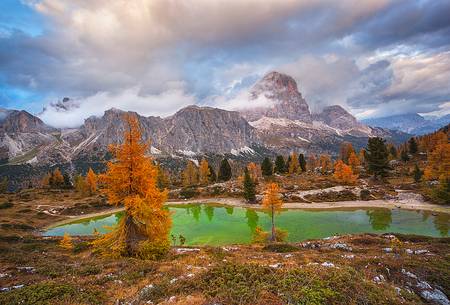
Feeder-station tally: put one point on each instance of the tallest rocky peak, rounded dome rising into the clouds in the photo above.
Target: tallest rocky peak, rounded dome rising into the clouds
(283, 100)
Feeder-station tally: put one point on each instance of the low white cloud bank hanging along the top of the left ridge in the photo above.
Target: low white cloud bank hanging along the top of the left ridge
(163, 104)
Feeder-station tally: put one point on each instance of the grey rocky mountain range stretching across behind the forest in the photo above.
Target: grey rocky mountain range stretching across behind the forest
(285, 124)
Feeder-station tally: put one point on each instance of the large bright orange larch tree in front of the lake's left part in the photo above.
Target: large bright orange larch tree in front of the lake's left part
(143, 231)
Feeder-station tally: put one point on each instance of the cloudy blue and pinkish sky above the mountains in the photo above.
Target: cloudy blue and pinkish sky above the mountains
(373, 57)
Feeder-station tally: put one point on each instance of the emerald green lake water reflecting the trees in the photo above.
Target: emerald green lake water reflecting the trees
(204, 224)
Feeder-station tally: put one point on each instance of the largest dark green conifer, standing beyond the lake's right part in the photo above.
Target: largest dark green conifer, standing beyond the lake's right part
(377, 157)
